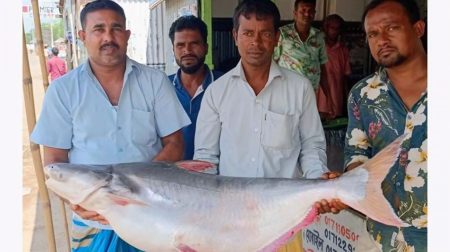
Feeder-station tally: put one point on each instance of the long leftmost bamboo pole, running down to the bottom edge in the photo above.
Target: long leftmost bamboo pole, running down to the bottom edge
(35, 151)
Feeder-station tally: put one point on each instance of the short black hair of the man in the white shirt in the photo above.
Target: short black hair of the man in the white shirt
(261, 8)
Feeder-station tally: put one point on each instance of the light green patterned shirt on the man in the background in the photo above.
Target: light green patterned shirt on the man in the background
(302, 57)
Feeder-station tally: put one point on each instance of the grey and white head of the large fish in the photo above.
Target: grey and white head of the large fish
(74, 182)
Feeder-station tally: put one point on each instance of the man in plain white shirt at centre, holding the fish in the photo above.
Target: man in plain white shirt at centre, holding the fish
(260, 120)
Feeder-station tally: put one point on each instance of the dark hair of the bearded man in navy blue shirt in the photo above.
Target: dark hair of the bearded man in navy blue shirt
(188, 22)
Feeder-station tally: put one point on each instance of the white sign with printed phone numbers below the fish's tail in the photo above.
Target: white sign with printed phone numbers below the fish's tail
(343, 232)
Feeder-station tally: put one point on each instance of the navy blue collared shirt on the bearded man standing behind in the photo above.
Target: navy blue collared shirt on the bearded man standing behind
(191, 105)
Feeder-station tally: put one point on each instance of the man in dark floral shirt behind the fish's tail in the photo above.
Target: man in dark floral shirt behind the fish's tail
(389, 103)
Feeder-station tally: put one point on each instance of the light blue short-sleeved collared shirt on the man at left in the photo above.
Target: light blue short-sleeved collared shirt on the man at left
(77, 115)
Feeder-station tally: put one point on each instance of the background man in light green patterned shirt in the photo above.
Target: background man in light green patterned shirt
(301, 47)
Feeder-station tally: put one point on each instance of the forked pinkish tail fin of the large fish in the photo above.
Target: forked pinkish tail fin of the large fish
(374, 204)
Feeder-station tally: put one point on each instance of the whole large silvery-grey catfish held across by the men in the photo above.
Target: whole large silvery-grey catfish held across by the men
(160, 207)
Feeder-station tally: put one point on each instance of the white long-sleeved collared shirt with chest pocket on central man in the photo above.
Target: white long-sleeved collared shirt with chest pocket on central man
(270, 134)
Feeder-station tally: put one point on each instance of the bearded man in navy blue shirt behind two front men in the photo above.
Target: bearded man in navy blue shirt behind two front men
(188, 35)
